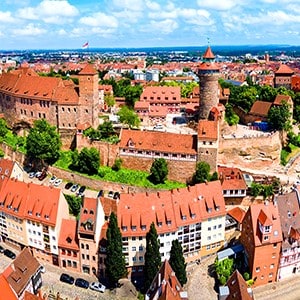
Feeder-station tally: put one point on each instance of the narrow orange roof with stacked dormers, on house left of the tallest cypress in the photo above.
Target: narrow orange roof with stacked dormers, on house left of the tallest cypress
(87, 221)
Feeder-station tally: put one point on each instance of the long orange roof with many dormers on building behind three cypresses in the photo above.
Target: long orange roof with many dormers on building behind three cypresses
(175, 208)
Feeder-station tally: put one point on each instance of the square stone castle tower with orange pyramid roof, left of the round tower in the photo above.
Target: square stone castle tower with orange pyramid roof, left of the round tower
(88, 96)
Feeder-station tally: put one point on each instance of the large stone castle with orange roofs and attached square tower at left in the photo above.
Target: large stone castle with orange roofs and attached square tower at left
(25, 97)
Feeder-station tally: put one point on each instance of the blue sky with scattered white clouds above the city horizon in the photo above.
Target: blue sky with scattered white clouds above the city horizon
(68, 24)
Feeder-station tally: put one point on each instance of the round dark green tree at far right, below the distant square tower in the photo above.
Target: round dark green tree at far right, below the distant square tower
(279, 116)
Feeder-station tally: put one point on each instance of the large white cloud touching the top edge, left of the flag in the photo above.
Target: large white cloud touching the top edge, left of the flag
(50, 11)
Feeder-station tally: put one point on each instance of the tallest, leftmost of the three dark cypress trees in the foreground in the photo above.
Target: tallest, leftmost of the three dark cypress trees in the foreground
(115, 260)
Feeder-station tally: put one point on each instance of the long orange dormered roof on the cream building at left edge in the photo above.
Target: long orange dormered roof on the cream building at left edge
(30, 201)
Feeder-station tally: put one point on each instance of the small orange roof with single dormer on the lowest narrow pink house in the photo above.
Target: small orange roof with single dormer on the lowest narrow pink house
(68, 235)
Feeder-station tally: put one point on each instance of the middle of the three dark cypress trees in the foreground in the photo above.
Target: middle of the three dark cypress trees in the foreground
(152, 256)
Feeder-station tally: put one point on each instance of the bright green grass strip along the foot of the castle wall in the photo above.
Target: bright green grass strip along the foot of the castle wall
(126, 176)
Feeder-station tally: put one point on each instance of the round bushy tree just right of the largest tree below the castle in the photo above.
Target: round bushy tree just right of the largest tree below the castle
(87, 161)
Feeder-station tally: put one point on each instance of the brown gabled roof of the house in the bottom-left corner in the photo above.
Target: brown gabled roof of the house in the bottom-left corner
(23, 268)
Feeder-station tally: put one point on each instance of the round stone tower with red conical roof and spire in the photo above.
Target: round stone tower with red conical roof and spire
(208, 73)
